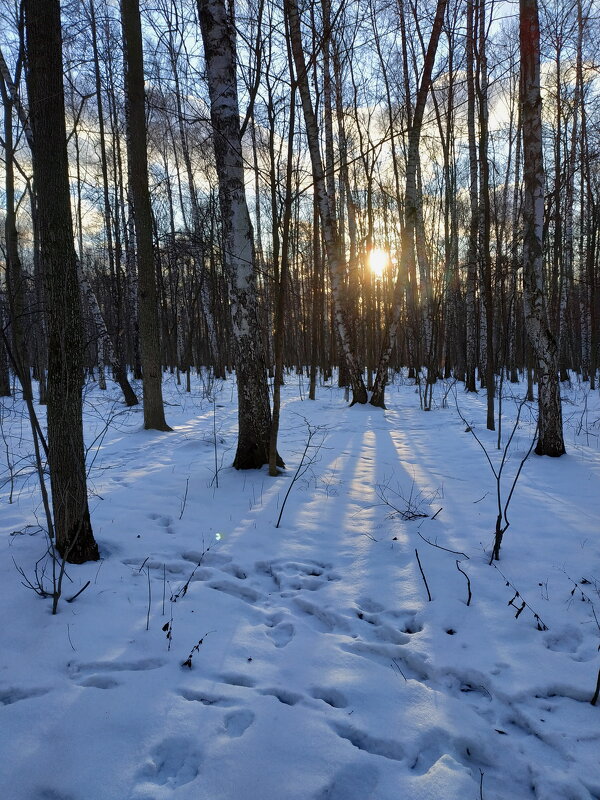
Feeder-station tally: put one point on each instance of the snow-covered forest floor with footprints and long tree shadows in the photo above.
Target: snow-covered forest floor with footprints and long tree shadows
(317, 667)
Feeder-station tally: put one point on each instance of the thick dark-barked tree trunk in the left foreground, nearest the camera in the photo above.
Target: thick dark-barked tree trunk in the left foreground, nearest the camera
(66, 455)
